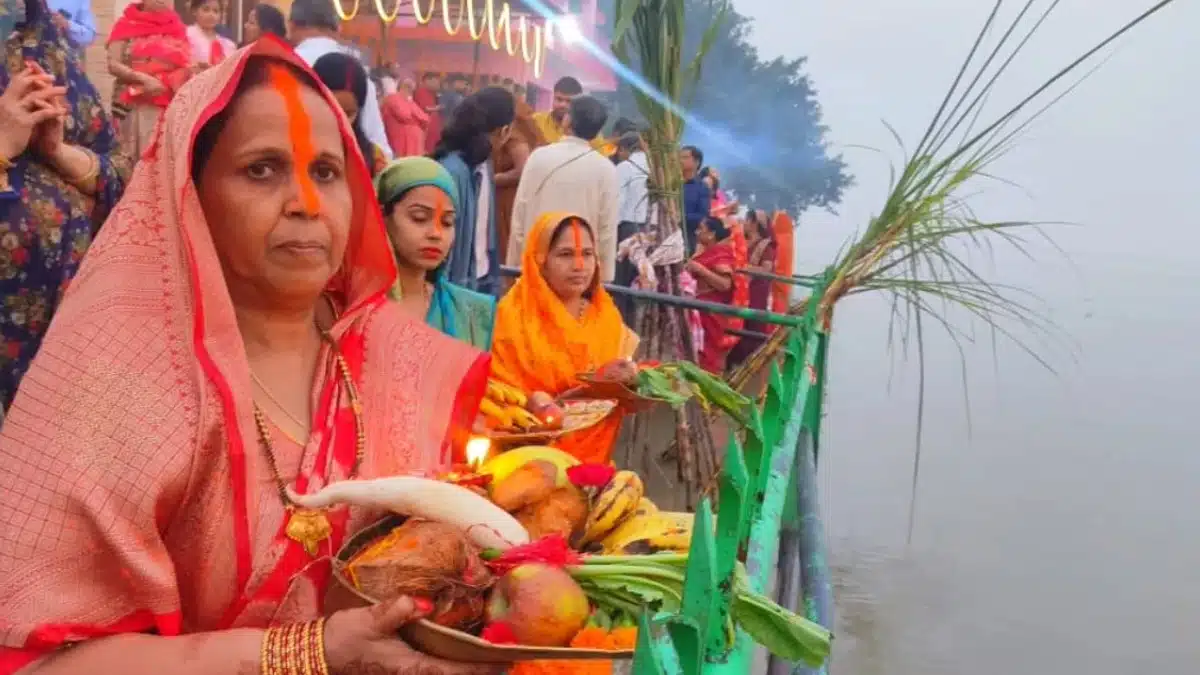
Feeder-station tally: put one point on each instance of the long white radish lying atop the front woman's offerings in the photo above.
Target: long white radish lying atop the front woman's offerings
(487, 524)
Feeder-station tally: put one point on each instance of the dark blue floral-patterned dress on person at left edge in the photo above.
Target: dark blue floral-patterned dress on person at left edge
(47, 225)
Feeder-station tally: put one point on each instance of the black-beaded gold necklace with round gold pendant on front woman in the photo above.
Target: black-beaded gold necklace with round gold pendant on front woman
(310, 527)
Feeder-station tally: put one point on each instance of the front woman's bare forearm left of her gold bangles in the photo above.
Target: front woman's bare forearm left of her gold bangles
(227, 653)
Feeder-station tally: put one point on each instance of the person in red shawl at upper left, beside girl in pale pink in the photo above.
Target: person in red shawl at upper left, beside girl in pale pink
(151, 57)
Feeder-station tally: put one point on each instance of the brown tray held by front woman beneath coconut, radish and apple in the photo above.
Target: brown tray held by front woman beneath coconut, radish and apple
(447, 643)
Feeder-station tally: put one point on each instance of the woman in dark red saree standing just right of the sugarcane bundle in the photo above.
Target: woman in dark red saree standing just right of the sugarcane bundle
(722, 249)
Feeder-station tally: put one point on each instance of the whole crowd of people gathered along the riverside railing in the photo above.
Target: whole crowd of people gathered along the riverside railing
(299, 284)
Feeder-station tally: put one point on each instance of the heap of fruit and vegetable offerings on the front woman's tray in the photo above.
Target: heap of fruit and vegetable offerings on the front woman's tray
(536, 557)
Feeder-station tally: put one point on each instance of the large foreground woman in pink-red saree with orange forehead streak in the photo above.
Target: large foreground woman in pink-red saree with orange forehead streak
(227, 336)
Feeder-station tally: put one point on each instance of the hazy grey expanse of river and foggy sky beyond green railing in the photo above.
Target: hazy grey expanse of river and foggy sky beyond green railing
(1057, 528)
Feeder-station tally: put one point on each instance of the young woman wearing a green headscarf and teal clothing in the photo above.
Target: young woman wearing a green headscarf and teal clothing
(419, 202)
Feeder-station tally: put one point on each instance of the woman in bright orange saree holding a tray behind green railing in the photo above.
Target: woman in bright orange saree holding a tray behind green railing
(557, 322)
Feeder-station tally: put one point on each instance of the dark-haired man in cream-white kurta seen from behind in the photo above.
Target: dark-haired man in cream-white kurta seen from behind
(571, 176)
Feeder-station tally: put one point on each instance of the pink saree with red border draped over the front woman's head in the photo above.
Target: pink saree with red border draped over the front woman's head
(135, 495)
